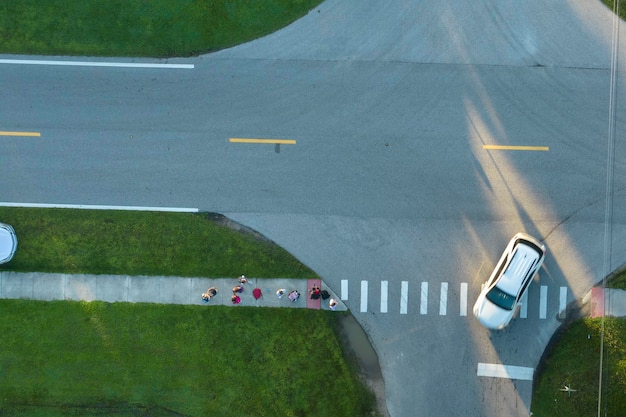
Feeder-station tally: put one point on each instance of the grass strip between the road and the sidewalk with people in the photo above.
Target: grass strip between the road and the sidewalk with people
(141, 243)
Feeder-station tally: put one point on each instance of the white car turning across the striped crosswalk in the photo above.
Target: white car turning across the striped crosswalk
(501, 294)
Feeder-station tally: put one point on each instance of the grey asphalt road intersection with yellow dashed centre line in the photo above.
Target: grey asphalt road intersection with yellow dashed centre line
(390, 106)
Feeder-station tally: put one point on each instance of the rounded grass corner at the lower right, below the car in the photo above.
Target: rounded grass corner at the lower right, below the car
(573, 360)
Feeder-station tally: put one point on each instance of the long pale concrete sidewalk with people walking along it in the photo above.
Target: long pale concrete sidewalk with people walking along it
(149, 289)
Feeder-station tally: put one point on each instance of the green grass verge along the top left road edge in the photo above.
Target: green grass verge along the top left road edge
(155, 28)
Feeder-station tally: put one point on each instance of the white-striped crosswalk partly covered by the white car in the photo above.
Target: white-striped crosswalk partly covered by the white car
(441, 299)
